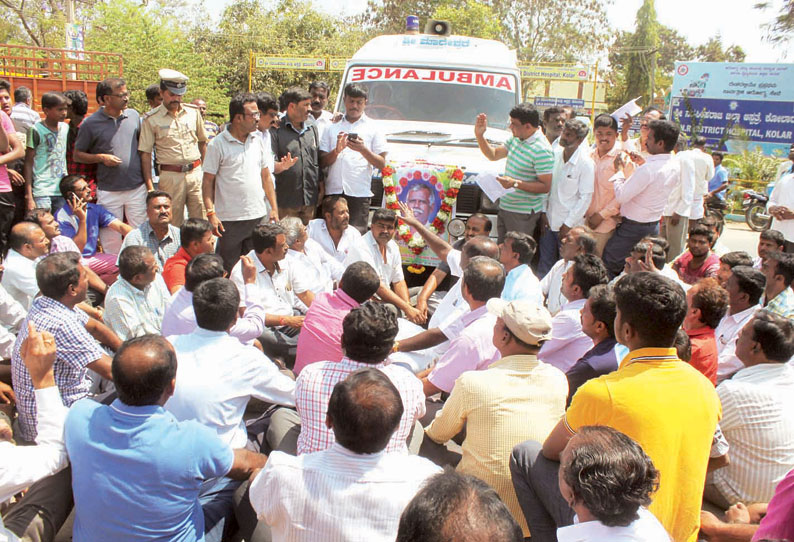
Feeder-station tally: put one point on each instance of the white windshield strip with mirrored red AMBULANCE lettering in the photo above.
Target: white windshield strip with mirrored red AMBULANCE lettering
(461, 77)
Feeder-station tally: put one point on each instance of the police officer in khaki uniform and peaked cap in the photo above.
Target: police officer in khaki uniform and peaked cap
(176, 131)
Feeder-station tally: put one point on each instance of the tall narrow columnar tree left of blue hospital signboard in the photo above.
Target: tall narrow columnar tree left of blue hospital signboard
(642, 51)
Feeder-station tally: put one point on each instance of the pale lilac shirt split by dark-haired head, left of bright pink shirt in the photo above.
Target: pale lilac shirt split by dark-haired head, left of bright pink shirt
(180, 318)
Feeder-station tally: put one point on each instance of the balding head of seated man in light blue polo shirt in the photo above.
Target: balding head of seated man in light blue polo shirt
(144, 369)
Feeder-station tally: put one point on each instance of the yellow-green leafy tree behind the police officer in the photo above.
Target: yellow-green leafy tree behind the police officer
(150, 39)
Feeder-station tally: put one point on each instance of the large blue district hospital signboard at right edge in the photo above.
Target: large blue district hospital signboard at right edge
(754, 102)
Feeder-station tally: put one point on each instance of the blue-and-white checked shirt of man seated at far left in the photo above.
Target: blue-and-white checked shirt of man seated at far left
(75, 349)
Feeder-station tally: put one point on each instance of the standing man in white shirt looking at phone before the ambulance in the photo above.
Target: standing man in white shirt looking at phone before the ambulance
(350, 149)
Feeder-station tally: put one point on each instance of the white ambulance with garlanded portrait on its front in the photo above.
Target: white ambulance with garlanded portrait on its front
(425, 91)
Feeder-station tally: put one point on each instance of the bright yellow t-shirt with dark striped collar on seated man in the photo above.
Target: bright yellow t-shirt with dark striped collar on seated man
(671, 410)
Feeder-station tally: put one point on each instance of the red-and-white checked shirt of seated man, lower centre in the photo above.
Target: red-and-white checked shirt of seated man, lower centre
(313, 391)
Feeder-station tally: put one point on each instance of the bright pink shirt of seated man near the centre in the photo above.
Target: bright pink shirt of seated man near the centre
(320, 338)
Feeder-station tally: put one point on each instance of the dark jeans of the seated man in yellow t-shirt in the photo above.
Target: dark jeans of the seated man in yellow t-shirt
(538, 491)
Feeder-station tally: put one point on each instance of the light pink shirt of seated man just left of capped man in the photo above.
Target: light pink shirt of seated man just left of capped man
(472, 350)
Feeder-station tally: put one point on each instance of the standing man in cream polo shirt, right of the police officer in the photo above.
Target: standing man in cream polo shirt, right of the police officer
(237, 180)
